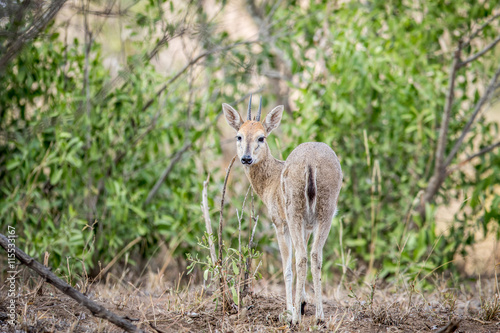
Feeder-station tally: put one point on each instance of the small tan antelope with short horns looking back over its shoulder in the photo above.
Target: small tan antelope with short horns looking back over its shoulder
(300, 193)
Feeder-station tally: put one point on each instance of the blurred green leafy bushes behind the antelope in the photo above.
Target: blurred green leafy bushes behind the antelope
(368, 78)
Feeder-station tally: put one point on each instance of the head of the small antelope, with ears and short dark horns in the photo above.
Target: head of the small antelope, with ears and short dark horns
(251, 134)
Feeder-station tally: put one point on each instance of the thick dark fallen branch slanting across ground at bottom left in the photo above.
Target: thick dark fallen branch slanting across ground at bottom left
(96, 309)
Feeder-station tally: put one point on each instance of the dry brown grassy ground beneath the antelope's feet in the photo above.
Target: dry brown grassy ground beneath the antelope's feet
(170, 308)
